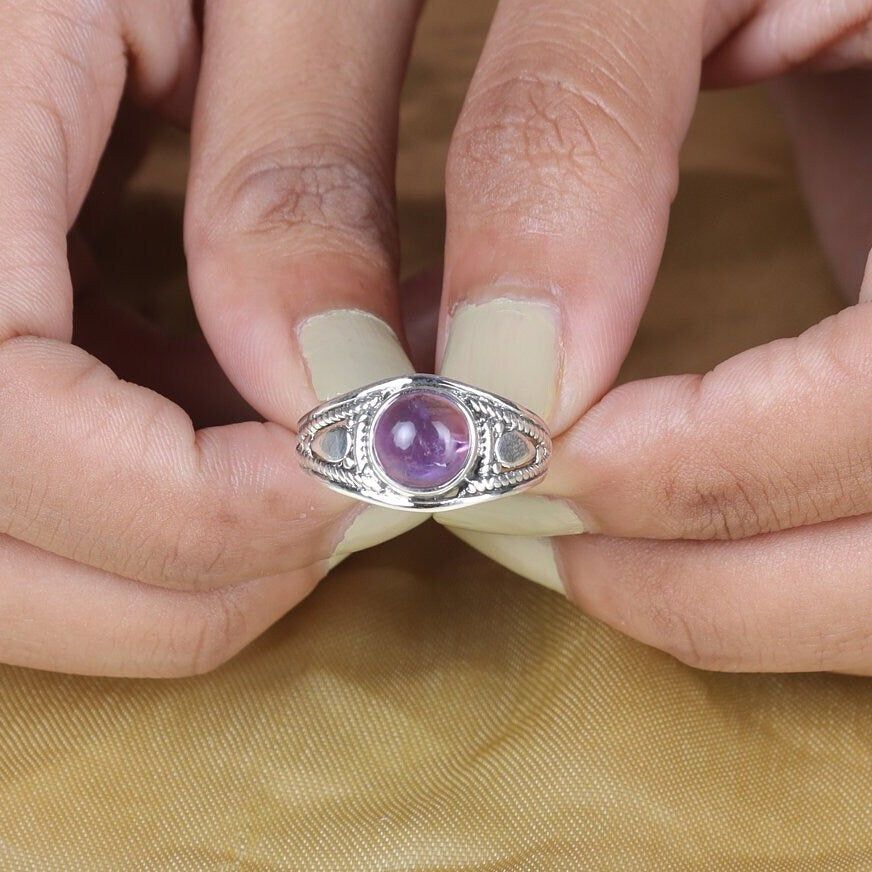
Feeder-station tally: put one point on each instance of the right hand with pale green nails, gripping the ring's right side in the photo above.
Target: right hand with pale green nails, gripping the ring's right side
(732, 510)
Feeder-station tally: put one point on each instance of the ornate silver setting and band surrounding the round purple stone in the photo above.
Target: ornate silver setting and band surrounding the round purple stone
(484, 477)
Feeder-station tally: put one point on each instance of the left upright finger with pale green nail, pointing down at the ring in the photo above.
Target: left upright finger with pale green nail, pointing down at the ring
(290, 227)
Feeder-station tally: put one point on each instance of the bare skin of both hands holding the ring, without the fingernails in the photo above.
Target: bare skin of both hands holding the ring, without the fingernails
(118, 553)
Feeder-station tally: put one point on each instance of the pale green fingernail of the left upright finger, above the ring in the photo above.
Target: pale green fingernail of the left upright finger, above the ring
(345, 349)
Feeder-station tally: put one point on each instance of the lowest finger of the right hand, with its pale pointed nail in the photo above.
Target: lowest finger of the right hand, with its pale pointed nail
(777, 603)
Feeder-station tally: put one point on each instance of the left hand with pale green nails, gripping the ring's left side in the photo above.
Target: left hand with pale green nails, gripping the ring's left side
(131, 543)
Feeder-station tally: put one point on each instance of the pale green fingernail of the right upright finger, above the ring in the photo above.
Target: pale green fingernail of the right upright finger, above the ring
(508, 346)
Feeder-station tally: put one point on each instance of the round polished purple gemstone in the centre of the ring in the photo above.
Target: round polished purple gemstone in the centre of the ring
(422, 440)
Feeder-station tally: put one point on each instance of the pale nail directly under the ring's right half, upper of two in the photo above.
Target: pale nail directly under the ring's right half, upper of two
(520, 515)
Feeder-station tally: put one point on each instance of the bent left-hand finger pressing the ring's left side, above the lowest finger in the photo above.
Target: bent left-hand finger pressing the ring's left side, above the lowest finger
(113, 475)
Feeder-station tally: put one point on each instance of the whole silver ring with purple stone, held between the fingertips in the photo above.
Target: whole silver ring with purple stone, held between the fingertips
(424, 443)
